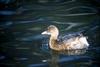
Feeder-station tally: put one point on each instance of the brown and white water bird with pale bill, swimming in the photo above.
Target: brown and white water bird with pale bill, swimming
(70, 43)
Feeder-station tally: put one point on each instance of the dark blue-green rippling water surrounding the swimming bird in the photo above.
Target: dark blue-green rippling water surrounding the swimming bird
(22, 44)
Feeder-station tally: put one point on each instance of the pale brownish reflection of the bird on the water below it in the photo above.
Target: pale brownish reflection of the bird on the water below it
(55, 56)
